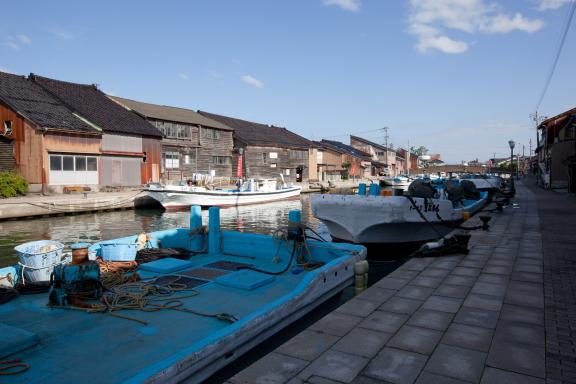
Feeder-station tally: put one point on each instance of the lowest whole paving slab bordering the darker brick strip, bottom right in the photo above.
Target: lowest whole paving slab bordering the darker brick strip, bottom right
(519, 358)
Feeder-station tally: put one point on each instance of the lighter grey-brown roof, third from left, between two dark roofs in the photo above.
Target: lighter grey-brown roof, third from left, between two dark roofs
(174, 114)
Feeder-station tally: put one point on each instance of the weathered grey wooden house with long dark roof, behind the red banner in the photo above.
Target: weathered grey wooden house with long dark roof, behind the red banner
(266, 151)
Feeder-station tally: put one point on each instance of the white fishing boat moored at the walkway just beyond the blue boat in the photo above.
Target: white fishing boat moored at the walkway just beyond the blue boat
(392, 219)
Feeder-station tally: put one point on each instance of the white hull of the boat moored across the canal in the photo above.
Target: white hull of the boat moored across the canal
(180, 199)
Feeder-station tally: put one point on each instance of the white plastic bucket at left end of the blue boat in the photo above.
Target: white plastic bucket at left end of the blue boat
(38, 259)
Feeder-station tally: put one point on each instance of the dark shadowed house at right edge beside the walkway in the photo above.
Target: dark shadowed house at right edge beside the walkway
(557, 151)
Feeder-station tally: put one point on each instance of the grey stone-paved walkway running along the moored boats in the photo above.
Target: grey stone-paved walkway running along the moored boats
(477, 318)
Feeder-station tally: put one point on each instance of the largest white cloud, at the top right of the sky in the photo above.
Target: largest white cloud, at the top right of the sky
(431, 21)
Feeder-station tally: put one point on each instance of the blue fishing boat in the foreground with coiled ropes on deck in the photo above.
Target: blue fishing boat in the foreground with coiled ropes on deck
(196, 300)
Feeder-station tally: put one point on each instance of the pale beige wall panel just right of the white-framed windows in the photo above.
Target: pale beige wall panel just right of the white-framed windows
(118, 171)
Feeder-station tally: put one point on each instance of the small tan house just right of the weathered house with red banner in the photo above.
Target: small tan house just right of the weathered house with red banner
(352, 162)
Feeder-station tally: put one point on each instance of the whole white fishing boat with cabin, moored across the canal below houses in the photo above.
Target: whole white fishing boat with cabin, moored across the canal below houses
(252, 191)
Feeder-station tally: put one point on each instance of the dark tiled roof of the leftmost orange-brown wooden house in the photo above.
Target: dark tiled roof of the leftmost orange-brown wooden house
(36, 105)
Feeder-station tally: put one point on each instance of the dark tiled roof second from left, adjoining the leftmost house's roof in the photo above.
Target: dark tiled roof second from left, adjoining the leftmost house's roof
(95, 106)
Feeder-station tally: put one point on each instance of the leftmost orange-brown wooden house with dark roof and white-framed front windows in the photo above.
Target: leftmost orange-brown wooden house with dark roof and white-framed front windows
(44, 141)
